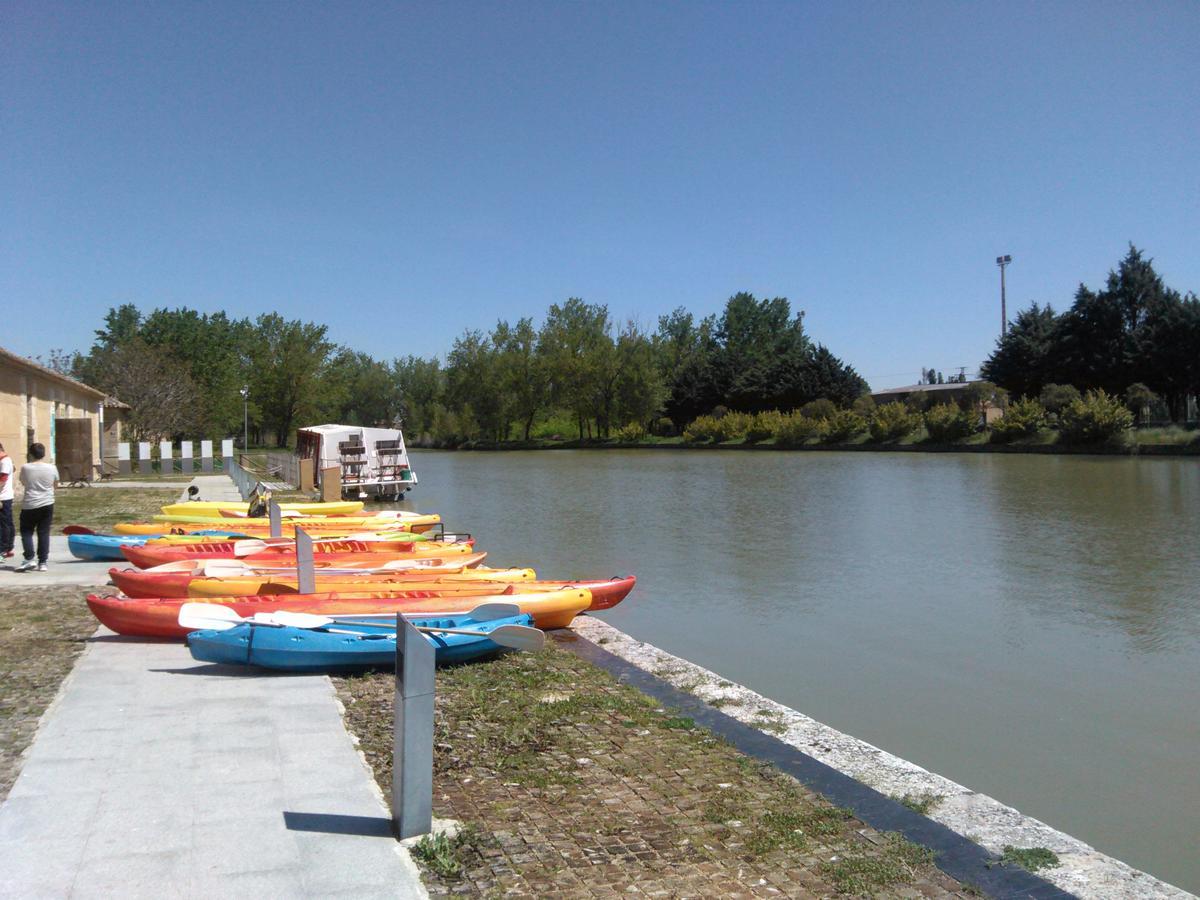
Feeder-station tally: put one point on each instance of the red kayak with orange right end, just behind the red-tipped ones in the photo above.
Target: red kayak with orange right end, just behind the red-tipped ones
(363, 553)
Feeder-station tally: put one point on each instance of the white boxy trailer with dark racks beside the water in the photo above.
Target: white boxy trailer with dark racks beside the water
(374, 463)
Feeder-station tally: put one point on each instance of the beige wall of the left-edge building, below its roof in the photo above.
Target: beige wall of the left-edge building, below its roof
(29, 405)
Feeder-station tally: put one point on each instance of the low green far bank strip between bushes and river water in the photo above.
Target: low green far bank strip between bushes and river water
(1184, 443)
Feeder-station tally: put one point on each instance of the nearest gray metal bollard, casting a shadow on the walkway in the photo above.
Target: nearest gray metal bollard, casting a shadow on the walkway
(412, 761)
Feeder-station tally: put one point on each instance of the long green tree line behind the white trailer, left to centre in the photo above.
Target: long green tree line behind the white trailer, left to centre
(583, 373)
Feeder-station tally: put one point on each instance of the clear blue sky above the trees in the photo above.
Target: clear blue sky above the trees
(404, 172)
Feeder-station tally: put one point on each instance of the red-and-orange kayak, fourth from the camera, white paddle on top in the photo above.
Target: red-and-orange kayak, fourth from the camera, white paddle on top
(172, 581)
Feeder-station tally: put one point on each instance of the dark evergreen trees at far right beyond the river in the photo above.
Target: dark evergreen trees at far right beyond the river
(1136, 339)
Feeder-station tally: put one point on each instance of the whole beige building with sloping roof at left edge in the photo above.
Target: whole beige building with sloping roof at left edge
(39, 405)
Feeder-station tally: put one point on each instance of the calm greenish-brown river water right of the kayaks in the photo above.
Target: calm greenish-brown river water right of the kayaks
(1025, 626)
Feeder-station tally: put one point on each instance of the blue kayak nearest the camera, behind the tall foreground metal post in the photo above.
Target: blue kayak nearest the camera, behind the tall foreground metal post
(346, 645)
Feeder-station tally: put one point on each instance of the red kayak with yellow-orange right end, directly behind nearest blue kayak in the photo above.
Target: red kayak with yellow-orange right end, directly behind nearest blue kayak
(160, 617)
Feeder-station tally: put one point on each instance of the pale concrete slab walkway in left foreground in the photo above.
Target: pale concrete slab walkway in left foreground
(154, 776)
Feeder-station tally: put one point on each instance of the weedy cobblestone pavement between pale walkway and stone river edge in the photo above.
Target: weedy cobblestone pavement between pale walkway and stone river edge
(574, 787)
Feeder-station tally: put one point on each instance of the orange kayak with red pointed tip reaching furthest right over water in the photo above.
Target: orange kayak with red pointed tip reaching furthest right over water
(605, 595)
